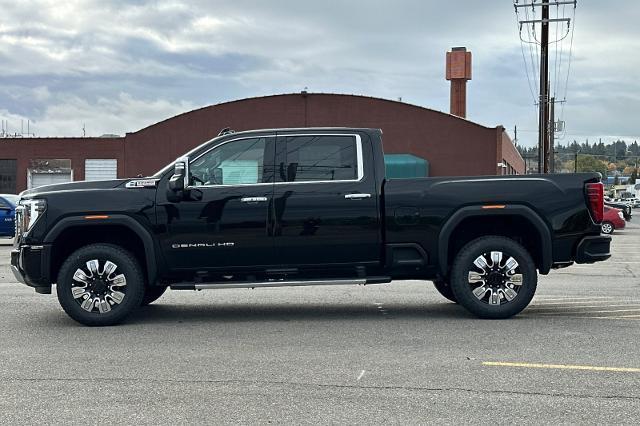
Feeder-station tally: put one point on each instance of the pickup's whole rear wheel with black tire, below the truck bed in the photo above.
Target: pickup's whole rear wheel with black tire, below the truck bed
(499, 279)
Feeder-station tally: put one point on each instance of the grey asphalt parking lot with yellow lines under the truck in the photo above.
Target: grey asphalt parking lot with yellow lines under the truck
(396, 353)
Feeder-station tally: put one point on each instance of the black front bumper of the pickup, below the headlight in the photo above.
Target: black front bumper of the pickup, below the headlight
(30, 266)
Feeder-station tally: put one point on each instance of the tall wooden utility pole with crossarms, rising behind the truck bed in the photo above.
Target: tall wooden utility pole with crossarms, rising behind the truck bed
(543, 103)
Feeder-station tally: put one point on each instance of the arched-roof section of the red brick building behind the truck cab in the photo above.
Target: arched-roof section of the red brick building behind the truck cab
(438, 137)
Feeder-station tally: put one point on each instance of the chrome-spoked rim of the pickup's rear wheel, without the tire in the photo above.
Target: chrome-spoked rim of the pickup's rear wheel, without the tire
(495, 278)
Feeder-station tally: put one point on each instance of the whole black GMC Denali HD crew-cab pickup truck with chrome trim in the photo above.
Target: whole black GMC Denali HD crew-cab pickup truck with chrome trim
(297, 207)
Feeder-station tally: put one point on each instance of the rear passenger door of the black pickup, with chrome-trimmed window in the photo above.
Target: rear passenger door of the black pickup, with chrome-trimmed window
(325, 202)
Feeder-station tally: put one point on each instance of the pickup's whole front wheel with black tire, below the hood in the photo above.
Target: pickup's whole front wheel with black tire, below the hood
(100, 285)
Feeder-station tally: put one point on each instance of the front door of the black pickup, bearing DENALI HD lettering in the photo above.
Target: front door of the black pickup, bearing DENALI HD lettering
(229, 226)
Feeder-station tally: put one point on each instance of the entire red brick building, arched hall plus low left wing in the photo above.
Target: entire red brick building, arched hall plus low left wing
(452, 145)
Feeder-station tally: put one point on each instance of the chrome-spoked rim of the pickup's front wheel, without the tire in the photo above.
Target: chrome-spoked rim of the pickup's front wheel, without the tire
(98, 288)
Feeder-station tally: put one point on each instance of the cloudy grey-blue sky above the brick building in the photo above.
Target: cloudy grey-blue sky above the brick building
(118, 66)
